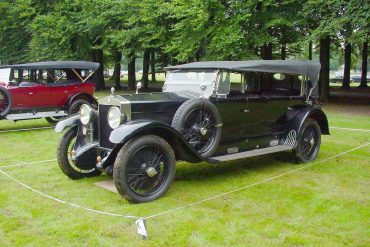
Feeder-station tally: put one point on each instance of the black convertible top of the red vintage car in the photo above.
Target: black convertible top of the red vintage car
(57, 65)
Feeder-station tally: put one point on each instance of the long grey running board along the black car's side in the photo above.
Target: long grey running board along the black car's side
(248, 154)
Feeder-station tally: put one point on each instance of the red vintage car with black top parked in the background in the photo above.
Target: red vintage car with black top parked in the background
(45, 89)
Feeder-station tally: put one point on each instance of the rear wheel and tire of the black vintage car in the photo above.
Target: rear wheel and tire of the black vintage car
(309, 141)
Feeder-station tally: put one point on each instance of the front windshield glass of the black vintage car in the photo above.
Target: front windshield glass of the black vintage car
(190, 81)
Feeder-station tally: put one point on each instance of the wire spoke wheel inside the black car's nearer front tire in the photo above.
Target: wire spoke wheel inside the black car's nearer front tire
(147, 171)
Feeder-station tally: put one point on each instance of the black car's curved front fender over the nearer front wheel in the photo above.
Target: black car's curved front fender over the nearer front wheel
(183, 150)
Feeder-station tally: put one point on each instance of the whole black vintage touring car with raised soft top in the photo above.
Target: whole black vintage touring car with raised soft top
(208, 111)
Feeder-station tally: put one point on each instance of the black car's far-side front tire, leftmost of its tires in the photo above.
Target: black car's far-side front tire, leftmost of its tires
(65, 161)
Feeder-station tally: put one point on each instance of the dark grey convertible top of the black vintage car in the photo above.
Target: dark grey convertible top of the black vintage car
(308, 68)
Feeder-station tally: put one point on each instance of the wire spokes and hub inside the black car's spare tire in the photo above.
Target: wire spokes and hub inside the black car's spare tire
(199, 129)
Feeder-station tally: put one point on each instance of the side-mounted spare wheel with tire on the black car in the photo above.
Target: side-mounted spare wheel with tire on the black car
(200, 123)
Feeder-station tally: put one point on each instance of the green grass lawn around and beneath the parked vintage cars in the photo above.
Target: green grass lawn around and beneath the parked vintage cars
(325, 205)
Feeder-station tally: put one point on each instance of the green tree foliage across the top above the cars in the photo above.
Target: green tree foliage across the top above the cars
(176, 31)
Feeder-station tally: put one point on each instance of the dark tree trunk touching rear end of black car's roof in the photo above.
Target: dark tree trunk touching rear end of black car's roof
(325, 68)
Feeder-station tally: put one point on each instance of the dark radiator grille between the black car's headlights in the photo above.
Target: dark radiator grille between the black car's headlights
(104, 128)
